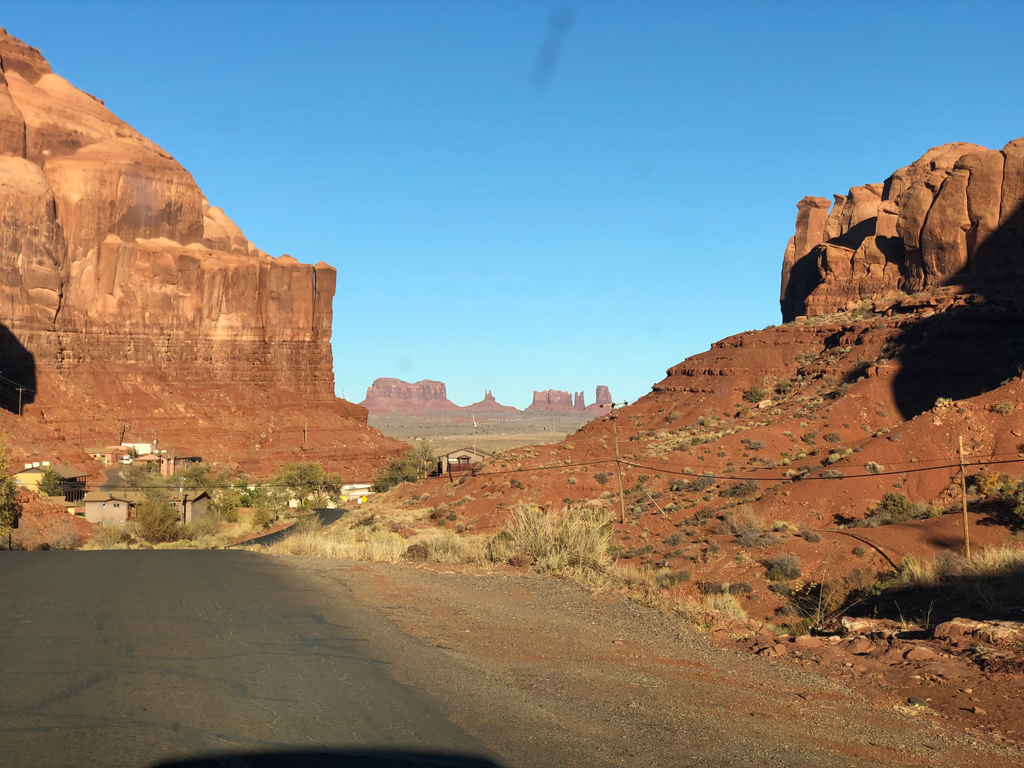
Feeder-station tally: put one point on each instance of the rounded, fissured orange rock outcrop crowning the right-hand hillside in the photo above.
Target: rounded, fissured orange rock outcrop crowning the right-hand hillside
(951, 218)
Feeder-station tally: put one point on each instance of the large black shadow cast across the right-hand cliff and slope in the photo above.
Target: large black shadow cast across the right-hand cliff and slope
(969, 351)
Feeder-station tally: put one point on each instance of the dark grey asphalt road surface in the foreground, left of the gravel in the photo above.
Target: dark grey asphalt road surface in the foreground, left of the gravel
(129, 659)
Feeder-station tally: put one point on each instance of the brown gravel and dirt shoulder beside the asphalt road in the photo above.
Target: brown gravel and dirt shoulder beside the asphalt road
(546, 673)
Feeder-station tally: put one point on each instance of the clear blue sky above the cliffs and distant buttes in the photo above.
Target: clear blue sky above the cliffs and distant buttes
(508, 227)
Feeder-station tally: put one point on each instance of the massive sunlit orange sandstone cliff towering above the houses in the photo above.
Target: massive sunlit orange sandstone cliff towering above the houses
(139, 304)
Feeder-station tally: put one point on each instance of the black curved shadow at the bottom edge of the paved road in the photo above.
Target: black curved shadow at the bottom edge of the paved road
(333, 759)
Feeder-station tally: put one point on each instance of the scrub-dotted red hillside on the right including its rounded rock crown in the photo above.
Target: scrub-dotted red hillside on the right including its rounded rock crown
(884, 365)
